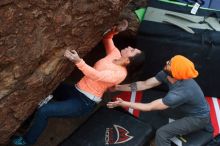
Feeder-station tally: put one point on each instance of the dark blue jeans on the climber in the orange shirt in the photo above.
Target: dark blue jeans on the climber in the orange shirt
(75, 104)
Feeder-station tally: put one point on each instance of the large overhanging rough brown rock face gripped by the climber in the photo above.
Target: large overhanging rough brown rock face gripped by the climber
(33, 37)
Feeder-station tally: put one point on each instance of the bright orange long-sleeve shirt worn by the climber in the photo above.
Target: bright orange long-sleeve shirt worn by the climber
(105, 73)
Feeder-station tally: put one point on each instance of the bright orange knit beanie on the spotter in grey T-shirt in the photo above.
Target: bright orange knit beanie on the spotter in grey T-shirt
(182, 68)
